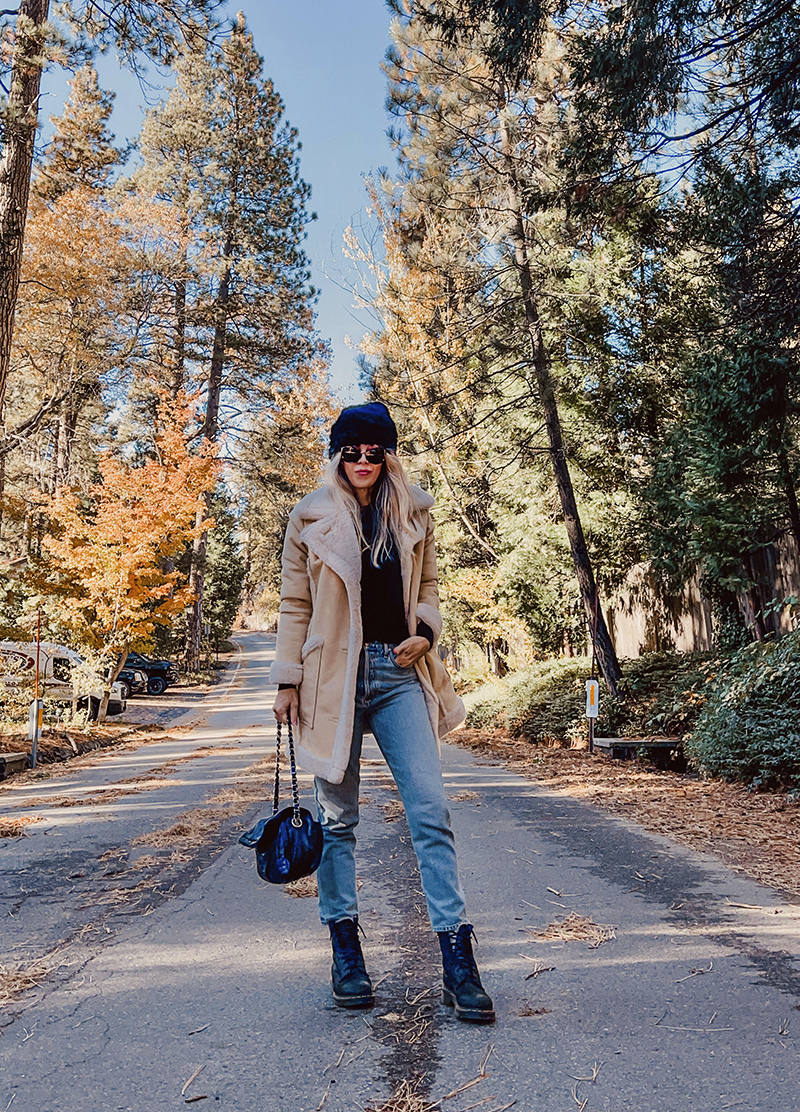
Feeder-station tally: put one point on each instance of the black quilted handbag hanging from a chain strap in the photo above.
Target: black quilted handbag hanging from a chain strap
(290, 845)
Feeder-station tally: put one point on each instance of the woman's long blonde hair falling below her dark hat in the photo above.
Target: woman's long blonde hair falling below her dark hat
(392, 502)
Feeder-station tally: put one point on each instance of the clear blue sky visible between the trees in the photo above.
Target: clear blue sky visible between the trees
(325, 62)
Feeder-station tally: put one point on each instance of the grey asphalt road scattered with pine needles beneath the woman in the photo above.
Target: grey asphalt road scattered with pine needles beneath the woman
(154, 960)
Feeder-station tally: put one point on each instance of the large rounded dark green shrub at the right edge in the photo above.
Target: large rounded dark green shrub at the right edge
(750, 727)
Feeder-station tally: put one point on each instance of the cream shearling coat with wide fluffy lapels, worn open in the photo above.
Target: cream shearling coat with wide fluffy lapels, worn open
(320, 627)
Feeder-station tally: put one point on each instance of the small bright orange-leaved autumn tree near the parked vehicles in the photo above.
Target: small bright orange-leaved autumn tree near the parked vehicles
(107, 578)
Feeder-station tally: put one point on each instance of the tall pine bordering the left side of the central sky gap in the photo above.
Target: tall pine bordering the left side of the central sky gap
(222, 155)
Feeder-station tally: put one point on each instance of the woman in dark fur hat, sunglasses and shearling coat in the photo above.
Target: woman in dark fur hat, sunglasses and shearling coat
(357, 634)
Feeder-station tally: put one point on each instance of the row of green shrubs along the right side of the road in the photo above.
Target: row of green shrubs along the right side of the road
(737, 714)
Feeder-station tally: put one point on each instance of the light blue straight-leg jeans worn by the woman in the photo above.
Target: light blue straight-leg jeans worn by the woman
(390, 701)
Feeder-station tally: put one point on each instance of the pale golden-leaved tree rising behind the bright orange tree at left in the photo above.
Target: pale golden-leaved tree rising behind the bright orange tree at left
(81, 319)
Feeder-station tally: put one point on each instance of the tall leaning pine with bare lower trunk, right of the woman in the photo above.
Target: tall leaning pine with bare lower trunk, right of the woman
(475, 152)
